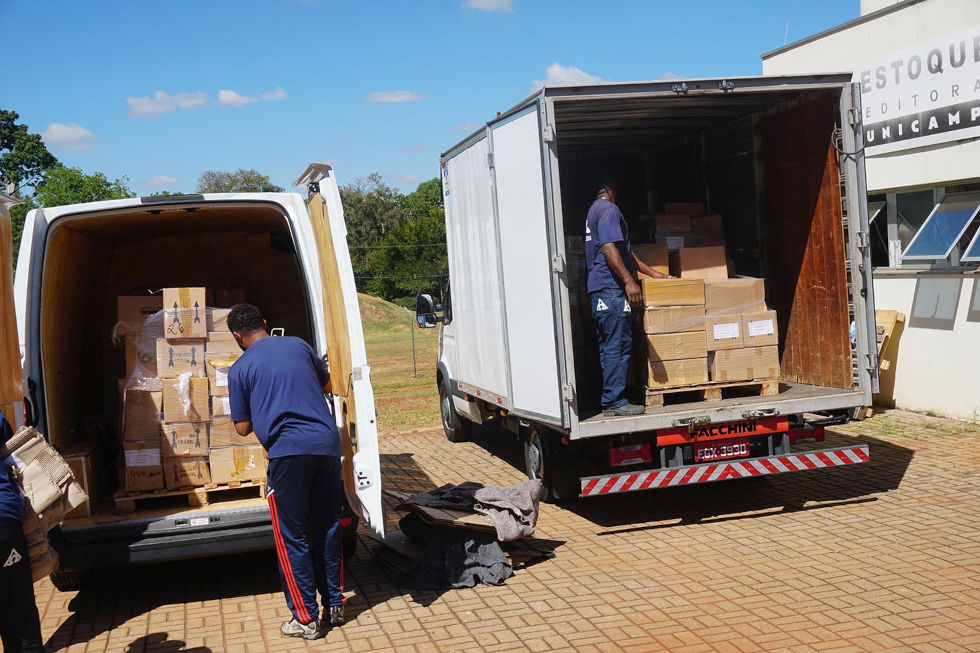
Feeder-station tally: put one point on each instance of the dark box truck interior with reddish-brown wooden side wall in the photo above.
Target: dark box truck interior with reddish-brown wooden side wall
(763, 160)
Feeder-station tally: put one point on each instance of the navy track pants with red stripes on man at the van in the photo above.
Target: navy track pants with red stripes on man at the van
(305, 501)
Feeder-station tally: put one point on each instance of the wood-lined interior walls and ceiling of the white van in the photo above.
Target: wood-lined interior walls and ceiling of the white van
(93, 260)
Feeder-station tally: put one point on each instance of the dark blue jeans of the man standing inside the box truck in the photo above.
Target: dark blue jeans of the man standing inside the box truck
(612, 316)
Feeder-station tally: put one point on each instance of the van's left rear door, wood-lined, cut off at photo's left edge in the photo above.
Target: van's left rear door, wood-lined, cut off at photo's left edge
(11, 372)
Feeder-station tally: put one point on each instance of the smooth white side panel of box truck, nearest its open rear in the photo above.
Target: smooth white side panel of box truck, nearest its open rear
(527, 275)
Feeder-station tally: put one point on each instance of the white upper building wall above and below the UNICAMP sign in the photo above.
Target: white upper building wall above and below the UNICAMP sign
(845, 50)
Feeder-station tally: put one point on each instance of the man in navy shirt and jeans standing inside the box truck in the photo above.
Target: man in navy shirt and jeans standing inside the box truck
(613, 290)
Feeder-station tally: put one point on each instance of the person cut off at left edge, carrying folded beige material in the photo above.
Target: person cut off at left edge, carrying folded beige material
(20, 626)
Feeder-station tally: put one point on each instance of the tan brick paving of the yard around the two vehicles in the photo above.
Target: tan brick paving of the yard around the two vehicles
(879, 557)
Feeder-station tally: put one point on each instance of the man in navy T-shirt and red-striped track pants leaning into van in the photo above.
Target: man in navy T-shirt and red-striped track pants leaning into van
(276, 389)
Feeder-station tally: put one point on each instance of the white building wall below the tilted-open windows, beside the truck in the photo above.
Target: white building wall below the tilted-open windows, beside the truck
(936, 368)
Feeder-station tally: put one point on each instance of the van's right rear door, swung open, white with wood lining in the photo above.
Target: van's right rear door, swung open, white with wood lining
(350, 373)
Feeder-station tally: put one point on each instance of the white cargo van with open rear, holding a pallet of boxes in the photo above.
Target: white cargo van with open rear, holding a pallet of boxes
(291, 258)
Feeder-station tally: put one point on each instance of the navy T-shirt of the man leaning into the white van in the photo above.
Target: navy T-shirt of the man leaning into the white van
(278, 385)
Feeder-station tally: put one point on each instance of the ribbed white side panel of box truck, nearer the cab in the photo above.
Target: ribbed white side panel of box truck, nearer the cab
(474, 267)
